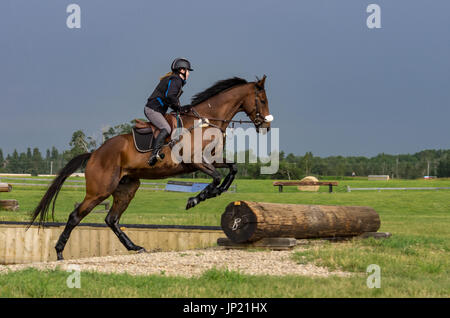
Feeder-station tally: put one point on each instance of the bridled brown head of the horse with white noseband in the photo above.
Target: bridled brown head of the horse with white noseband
(256, 106)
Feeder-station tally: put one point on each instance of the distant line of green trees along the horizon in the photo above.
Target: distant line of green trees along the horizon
(404, 166)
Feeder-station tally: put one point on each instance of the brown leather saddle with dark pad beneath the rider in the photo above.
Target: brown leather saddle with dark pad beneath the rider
(144, 132)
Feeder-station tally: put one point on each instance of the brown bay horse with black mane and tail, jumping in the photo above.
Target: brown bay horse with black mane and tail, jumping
(116, 167)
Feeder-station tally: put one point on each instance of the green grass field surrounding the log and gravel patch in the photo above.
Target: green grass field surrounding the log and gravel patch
(414, 262)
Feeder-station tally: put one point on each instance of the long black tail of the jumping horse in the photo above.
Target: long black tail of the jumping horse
(52, 192)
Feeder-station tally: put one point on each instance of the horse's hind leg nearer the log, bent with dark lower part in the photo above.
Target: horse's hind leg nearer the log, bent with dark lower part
(123, 194)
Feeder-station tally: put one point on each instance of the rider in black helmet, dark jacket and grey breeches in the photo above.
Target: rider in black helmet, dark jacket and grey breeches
(165, 95)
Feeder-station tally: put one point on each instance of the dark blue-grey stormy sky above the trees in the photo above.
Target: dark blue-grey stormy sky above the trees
(335, 87)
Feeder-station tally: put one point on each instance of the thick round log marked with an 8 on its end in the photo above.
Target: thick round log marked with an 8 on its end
(245, 221)
